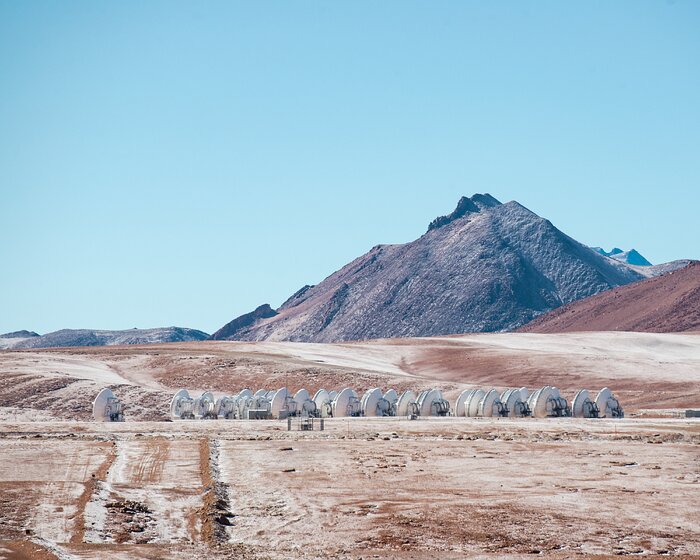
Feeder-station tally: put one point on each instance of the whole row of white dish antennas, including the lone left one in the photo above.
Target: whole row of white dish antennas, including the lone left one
(542, 403)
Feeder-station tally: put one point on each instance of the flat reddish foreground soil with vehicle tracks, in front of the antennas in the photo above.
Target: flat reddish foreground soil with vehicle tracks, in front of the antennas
(382, 488)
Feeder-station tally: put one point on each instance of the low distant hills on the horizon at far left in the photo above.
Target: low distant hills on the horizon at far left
(86, 337)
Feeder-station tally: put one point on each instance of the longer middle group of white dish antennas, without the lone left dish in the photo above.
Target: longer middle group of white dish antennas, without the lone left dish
(324, 404)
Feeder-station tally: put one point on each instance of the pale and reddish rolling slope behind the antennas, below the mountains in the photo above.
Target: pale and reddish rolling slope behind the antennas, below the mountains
(646, 371)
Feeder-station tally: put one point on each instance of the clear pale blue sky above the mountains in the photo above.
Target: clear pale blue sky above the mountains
(179, 163)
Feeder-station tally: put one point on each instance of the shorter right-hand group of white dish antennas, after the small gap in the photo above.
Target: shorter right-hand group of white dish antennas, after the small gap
(542, 403)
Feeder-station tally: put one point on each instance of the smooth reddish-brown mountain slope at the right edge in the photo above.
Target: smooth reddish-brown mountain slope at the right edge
(667, 303)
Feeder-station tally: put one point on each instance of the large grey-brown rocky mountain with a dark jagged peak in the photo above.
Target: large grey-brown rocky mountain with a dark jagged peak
(485, 267)
